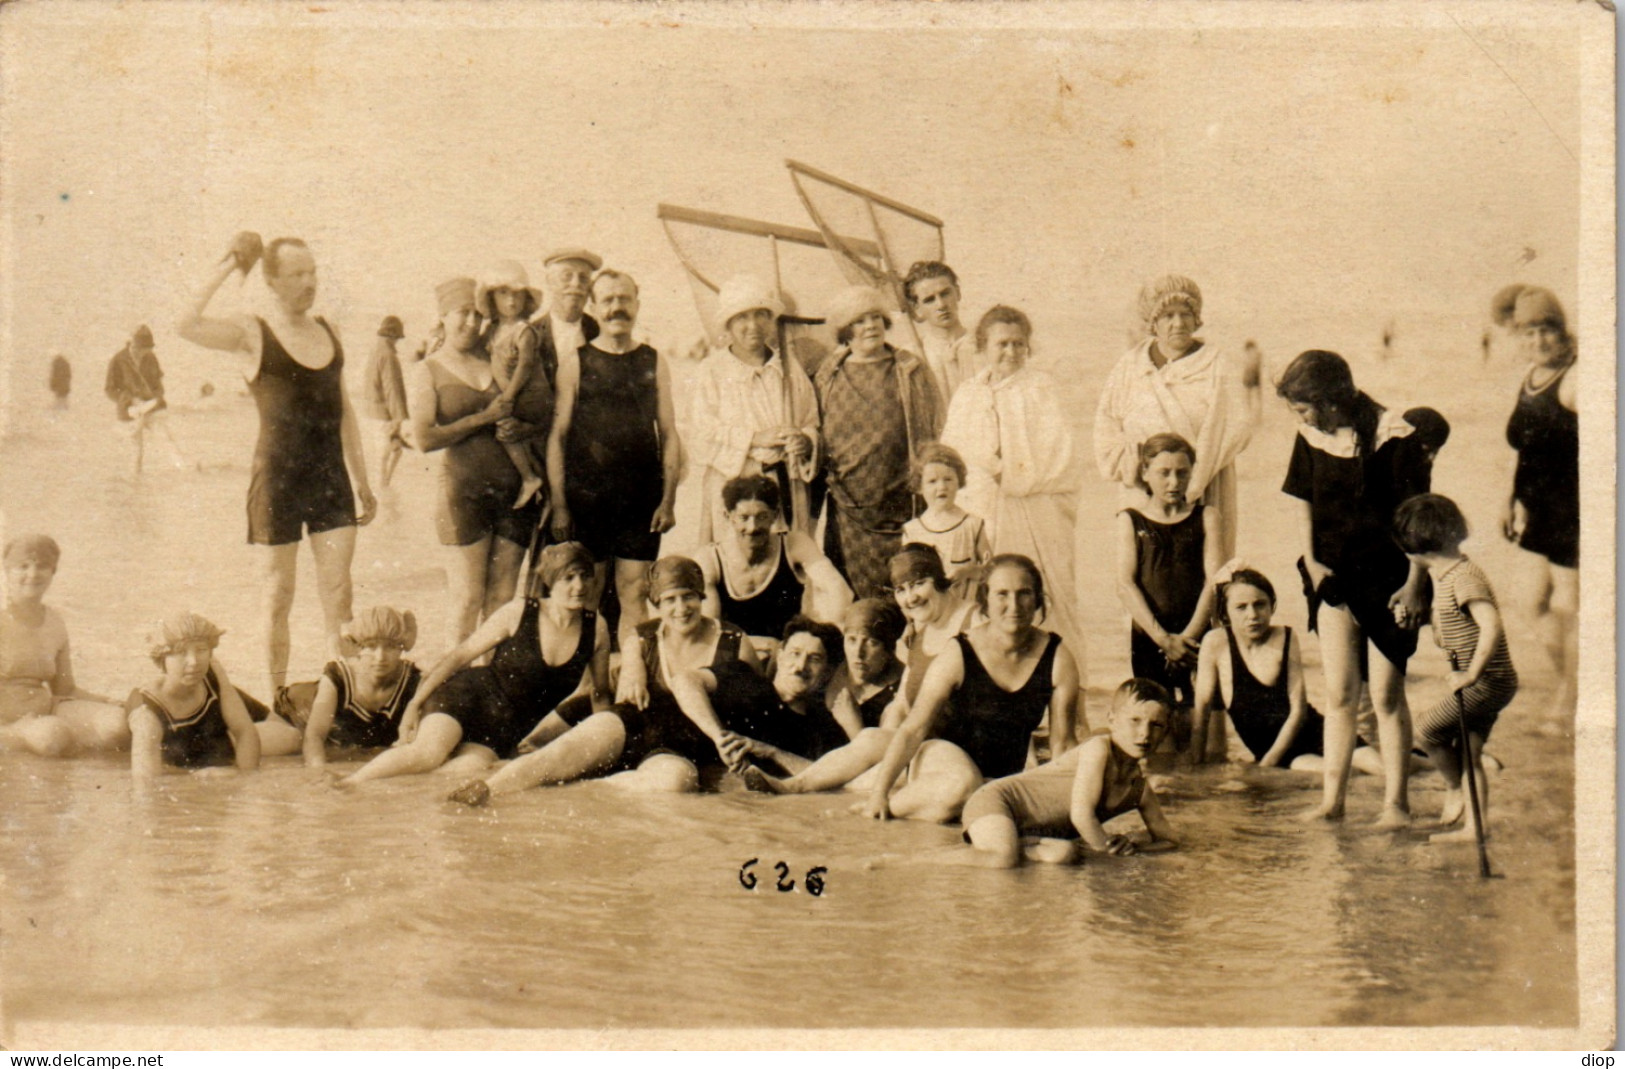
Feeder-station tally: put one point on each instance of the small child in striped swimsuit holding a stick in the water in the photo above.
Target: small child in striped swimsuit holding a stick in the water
(1468, 625)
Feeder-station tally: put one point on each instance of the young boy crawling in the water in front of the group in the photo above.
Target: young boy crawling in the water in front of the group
(1042, 813)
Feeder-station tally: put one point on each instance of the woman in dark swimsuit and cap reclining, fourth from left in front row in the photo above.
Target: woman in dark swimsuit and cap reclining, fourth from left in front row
(547, 651)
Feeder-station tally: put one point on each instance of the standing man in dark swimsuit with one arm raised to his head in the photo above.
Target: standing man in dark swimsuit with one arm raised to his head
(310, 469)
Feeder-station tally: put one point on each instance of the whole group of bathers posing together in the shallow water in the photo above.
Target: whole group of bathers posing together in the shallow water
(937, 695)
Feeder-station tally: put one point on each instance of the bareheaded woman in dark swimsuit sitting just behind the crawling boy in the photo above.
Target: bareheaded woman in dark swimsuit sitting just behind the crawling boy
(981, 703)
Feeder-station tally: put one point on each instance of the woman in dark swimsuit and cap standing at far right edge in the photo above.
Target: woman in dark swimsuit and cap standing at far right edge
(1543, 514)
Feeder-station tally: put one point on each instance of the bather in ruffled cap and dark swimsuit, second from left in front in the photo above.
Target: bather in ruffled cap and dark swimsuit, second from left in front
(191, 717)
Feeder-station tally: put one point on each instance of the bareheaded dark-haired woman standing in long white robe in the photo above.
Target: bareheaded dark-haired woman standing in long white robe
(1007, 422)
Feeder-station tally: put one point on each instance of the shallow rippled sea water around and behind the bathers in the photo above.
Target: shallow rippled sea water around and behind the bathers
(279, 901)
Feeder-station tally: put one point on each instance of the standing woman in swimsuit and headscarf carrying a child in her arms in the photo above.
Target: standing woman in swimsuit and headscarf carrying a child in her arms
(457, 407)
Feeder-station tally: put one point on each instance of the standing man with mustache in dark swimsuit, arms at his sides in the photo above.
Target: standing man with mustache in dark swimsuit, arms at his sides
(613, 449)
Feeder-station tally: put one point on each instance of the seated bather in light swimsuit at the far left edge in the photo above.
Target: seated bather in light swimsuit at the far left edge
(41, 709)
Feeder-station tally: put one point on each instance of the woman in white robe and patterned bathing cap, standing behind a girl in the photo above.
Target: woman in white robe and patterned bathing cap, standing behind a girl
(1176, 383)
